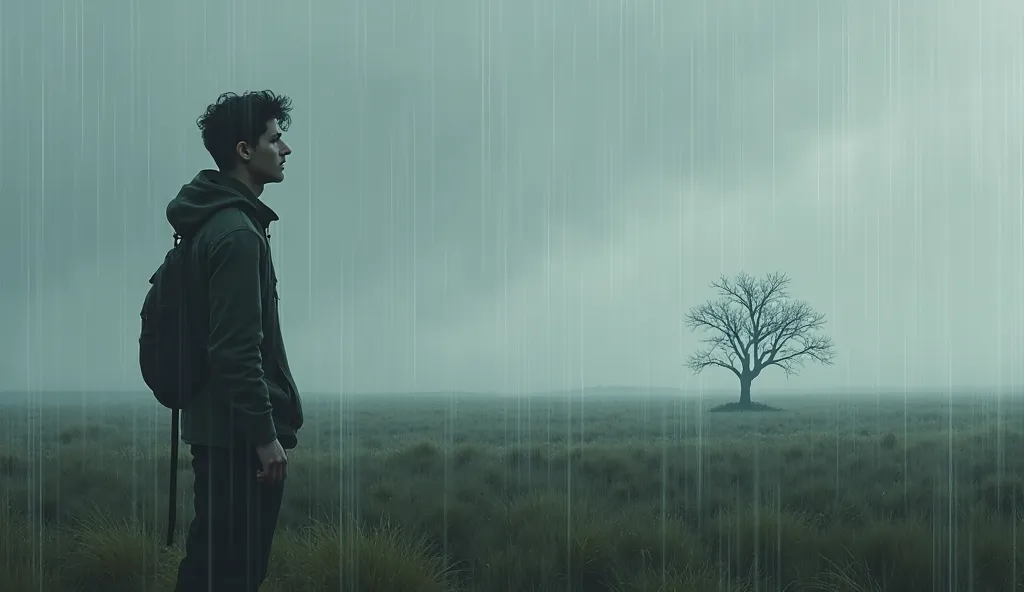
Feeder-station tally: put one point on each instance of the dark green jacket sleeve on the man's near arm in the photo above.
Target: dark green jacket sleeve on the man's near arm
(237, 332)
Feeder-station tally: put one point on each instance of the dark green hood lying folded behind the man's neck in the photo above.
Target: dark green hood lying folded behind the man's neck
(209, 193)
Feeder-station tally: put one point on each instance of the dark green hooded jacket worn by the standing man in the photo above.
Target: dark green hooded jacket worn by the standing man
(250, 398)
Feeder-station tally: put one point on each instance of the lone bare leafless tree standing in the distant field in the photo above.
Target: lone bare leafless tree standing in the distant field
(754, 324)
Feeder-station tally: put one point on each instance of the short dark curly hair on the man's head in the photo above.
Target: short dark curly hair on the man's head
(237, 118)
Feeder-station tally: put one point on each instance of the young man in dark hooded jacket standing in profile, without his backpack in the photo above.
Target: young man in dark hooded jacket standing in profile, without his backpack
(249, 413)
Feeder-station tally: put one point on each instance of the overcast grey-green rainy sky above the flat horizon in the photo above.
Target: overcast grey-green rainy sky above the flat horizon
(530, 195)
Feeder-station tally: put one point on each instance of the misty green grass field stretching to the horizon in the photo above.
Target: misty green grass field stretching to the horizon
(549, 493)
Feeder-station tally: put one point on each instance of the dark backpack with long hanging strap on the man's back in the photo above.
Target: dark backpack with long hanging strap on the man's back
(172, 355)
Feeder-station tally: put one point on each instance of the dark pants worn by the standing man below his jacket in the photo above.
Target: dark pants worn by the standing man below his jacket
(229, 542)
